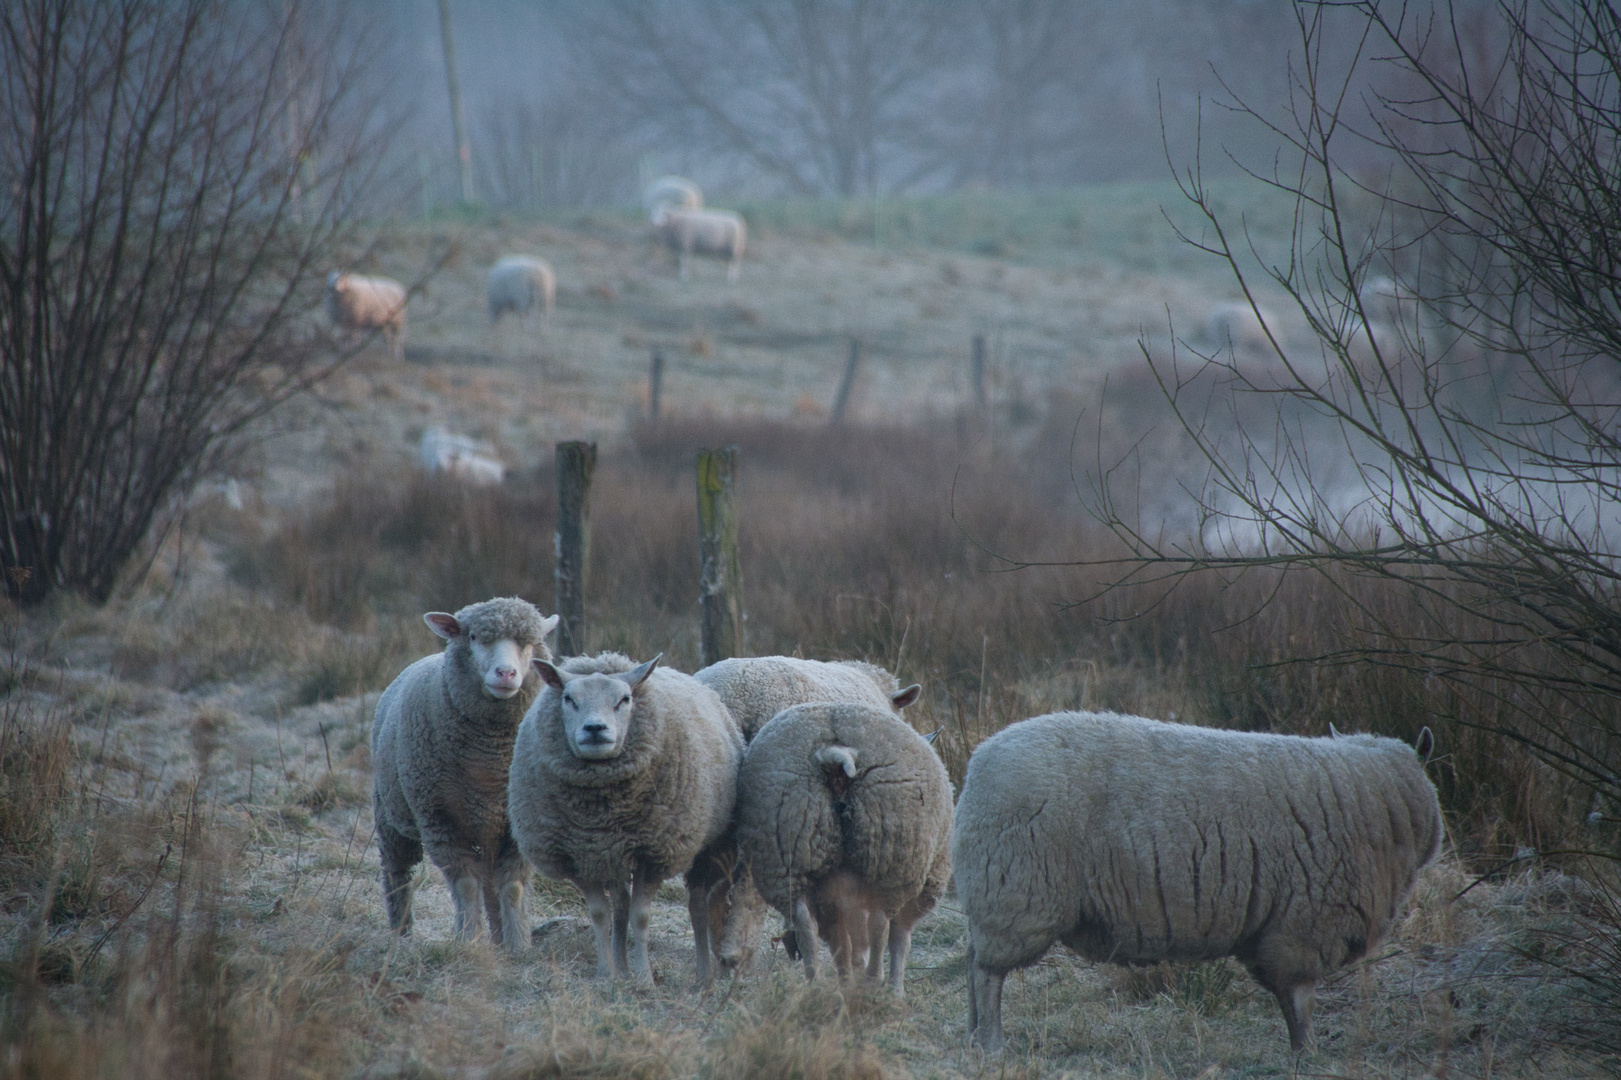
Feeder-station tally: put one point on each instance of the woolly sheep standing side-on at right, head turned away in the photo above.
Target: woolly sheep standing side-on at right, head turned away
(1134, 841)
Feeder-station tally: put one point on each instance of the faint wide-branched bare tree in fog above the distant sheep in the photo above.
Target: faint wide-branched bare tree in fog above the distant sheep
(823, 95)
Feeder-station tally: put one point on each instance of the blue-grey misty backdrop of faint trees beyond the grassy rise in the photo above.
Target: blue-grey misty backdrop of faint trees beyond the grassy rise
(578, 103)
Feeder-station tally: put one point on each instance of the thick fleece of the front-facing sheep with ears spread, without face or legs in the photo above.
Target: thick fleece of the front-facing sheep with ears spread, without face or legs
(646, 813)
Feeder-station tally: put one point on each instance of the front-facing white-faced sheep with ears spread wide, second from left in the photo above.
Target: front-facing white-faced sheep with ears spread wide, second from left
(628, 773)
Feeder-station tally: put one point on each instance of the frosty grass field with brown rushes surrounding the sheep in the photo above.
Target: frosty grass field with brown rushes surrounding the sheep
(189, 885)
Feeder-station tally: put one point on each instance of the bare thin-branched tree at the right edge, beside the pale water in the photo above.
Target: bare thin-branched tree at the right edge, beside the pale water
(1468, 314)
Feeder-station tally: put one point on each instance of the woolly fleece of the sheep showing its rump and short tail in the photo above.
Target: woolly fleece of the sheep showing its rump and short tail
(891, 823)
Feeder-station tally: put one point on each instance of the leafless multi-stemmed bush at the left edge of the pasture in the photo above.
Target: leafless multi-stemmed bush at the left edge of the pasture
(174, 178)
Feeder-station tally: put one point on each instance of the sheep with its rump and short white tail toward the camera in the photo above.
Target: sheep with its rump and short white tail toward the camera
(845, 828)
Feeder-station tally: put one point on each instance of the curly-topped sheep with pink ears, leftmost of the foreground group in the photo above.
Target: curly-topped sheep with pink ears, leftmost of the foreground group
(442, 742)
